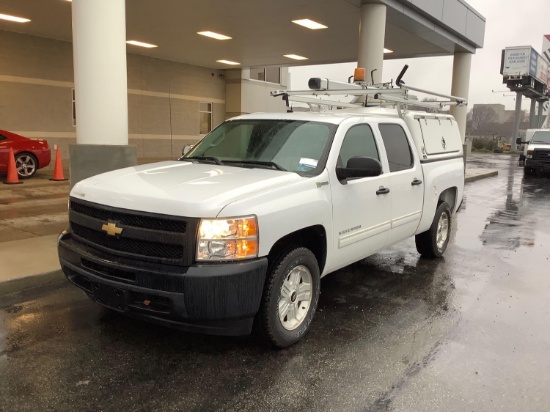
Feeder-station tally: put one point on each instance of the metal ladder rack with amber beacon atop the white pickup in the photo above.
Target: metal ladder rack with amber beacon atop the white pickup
(365, 95)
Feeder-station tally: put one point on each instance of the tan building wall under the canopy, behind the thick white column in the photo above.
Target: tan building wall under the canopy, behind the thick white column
(36, 84)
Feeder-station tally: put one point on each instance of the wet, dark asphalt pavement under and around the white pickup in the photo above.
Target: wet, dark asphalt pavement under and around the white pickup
(394, 332)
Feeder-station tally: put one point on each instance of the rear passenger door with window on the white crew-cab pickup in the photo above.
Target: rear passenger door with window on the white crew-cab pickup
(406, 181)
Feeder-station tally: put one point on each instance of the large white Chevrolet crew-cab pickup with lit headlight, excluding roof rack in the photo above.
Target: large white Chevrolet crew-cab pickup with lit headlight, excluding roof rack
(239, 231)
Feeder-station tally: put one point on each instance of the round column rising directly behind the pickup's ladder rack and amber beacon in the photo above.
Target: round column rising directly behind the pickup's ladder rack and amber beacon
(372, 32)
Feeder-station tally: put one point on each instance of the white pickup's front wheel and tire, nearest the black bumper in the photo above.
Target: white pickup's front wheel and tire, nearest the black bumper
(290, 297)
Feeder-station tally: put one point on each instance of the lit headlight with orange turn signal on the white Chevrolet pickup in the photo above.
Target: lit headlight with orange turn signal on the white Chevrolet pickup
(228, 239)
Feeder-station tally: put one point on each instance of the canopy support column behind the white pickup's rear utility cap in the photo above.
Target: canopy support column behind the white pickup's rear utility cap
(462, 65)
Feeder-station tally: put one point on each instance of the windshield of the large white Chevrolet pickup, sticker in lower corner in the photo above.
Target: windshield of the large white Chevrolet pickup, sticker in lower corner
(290, 145)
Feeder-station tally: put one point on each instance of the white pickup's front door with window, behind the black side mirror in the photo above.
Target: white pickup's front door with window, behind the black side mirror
(361, 206)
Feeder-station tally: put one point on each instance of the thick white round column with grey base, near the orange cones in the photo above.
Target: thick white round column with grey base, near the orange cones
(101, 88)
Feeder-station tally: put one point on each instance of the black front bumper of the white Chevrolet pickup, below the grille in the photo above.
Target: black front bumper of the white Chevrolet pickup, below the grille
(219, 299)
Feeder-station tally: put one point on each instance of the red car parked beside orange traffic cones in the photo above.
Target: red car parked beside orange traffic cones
(30, 154)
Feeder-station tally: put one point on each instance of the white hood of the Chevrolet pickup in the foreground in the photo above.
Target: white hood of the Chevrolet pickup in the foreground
(179, 188)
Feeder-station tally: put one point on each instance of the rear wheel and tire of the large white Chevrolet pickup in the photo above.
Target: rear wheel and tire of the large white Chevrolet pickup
(433, 242)
